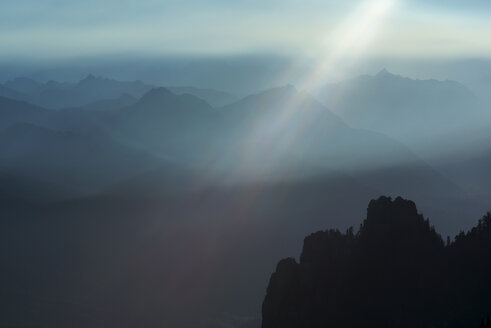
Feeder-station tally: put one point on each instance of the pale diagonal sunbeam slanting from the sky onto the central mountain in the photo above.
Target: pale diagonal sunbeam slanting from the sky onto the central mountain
(273, 135)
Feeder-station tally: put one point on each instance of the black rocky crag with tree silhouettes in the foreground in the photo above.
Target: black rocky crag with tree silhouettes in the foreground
(396, 271)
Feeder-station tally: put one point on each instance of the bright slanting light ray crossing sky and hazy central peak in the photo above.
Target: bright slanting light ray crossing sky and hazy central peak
(352, 38)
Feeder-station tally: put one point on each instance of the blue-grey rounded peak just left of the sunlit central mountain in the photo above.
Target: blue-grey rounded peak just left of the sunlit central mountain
(169, 124)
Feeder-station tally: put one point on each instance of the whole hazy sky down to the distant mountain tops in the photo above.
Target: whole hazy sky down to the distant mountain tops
(306, 44)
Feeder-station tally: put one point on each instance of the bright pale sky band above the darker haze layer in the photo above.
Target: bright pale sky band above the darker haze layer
(329, 30)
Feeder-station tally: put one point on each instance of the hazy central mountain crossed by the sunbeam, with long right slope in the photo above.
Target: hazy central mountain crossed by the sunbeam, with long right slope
(283, 130)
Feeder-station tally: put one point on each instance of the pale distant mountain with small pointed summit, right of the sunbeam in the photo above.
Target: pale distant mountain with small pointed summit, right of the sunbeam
(409, 110)
